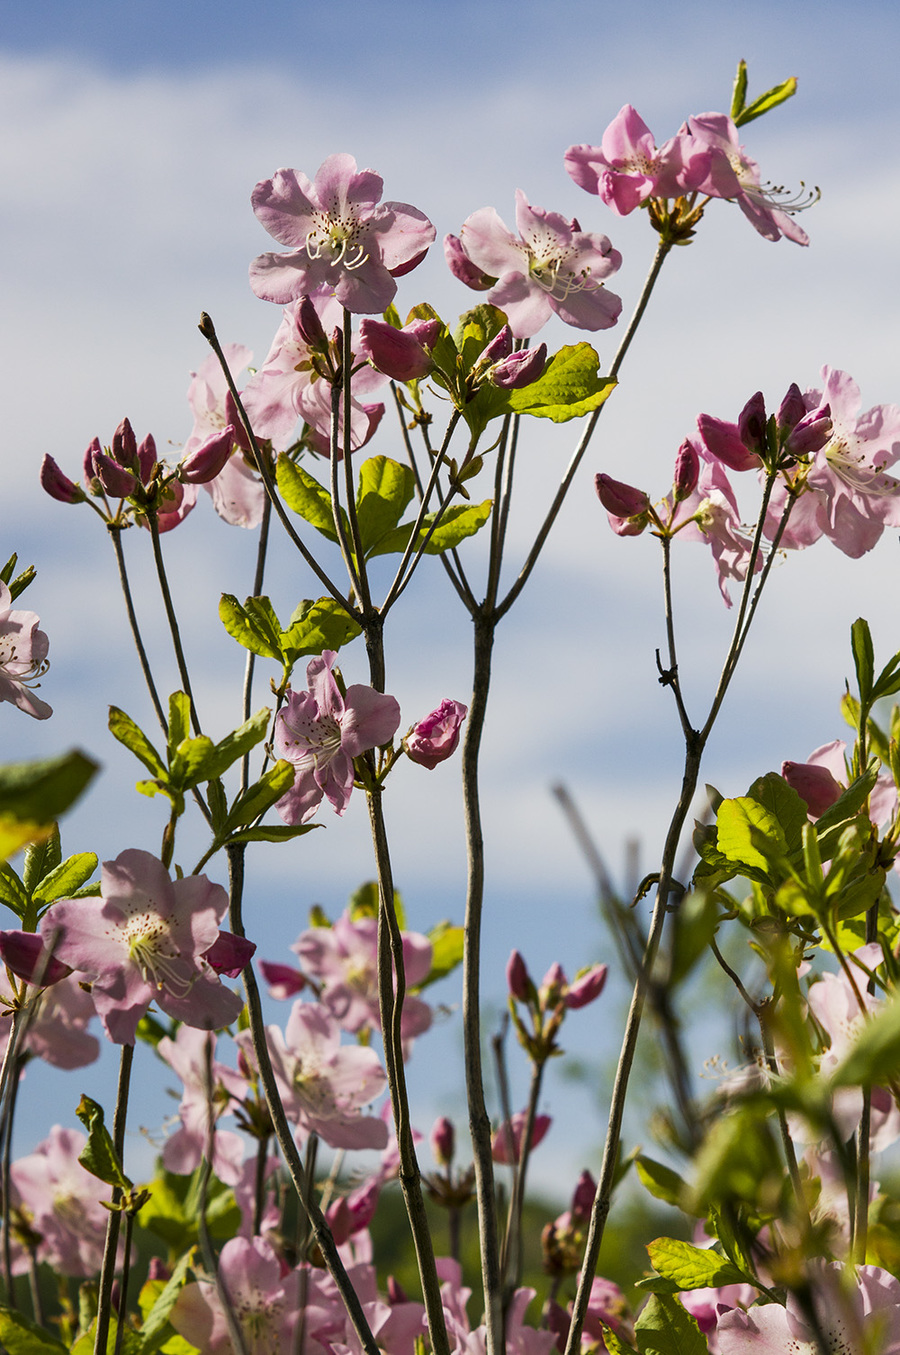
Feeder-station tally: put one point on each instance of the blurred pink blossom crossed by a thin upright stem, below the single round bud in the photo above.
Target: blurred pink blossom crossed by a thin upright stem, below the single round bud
(344, 961)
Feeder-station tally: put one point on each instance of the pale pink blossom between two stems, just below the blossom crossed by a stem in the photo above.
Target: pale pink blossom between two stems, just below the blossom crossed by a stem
(323, 1083)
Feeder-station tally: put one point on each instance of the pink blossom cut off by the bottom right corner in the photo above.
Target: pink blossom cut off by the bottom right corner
(864, 1319)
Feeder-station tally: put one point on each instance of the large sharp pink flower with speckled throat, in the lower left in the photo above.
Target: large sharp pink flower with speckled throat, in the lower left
(144, 941)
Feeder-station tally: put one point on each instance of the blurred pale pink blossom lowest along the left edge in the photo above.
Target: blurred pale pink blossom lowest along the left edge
(64, 1203)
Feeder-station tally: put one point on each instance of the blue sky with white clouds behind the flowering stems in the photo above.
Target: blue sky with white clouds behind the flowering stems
(124, 212)
